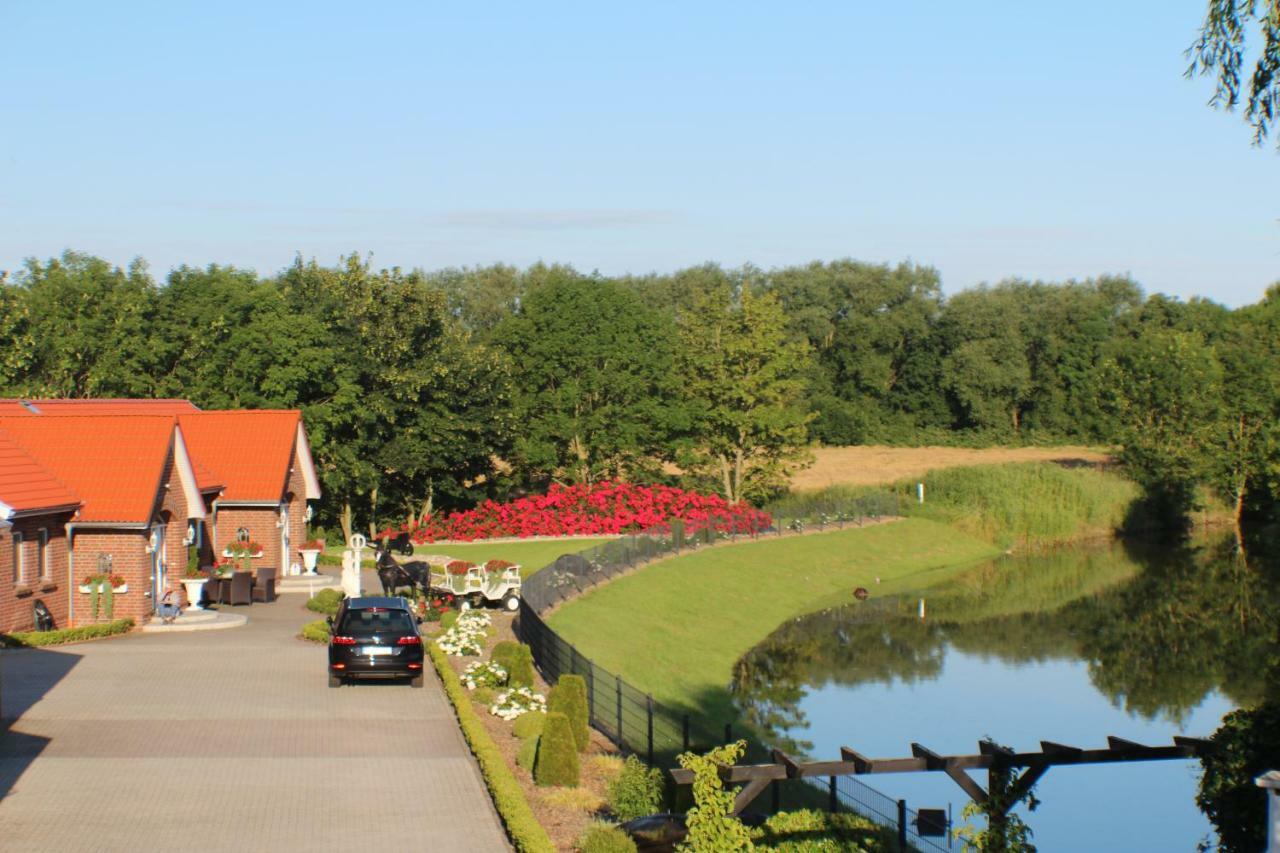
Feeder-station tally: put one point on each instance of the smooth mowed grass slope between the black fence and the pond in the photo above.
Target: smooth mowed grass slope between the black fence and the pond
(675, 628)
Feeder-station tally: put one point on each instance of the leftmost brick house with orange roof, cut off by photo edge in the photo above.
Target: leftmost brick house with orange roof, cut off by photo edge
(35, 508)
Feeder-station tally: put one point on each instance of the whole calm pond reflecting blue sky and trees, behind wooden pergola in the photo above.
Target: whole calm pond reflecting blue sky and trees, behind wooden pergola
(1121, 640)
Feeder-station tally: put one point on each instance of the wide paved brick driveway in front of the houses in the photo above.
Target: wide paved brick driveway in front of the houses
(228, 741)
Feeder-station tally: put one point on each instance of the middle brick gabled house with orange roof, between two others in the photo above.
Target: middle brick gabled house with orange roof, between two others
(139, 503)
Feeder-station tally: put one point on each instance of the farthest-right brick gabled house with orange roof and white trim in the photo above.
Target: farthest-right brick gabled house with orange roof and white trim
(263, 460)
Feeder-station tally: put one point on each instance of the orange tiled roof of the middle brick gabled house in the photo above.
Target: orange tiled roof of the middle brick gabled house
(113, 463)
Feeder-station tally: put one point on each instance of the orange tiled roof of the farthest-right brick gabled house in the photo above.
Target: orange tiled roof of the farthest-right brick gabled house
(249, 451)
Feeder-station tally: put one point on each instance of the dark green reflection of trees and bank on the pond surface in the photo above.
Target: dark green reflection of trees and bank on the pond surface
(1159, 630)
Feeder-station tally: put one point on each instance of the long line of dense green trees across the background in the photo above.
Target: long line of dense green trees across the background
(435, 389)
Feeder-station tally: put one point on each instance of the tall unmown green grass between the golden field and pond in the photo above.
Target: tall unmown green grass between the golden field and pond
(1016, 505)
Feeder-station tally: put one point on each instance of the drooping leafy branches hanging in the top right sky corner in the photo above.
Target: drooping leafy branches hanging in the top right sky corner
(1220, 49)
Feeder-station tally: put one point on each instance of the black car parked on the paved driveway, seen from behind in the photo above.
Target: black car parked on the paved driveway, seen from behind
(374, 638)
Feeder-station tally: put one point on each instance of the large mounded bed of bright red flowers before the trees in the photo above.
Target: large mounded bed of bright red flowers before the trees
(593, 510)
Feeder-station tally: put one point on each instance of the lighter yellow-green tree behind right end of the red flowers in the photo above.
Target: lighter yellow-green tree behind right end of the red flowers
(744, 376)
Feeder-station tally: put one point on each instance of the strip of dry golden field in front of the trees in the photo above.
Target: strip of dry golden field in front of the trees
(875, 464)
